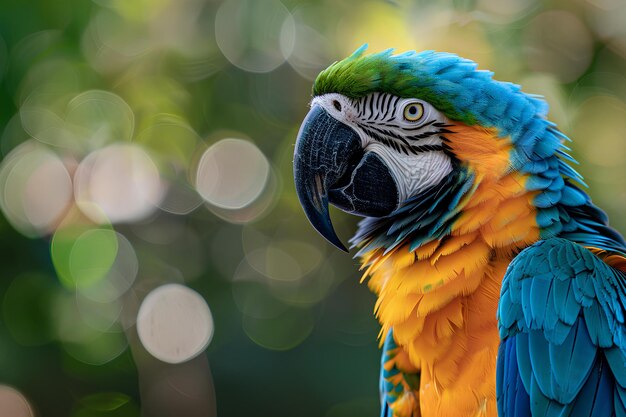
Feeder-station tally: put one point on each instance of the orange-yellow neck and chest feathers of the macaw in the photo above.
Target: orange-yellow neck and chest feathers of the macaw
(441, 299)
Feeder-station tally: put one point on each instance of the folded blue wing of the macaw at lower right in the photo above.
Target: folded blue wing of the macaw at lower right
(561, 318)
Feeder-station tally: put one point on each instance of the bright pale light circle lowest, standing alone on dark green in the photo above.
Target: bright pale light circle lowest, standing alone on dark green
(174, 323)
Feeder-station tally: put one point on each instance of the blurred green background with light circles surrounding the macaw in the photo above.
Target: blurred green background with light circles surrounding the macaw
(147, 199)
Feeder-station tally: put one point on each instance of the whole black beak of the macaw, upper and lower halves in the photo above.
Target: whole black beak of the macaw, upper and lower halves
(329, 160)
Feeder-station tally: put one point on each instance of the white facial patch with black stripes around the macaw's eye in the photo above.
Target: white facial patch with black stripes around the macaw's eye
(404, 132)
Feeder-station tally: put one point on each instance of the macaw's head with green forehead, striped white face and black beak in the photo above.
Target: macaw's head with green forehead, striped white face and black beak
(385, 130)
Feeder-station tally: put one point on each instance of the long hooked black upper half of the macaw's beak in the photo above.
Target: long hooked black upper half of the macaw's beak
(325, 149)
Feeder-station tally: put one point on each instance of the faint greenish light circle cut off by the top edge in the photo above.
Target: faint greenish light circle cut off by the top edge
(249, 32)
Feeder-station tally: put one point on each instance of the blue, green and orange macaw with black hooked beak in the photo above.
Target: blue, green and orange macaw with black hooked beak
(500, 287)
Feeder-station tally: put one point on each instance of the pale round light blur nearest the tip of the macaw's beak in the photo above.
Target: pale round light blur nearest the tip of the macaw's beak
(232, 174)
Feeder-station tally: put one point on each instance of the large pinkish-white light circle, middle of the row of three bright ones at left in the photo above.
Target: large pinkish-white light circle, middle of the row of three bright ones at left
(122, 181)
